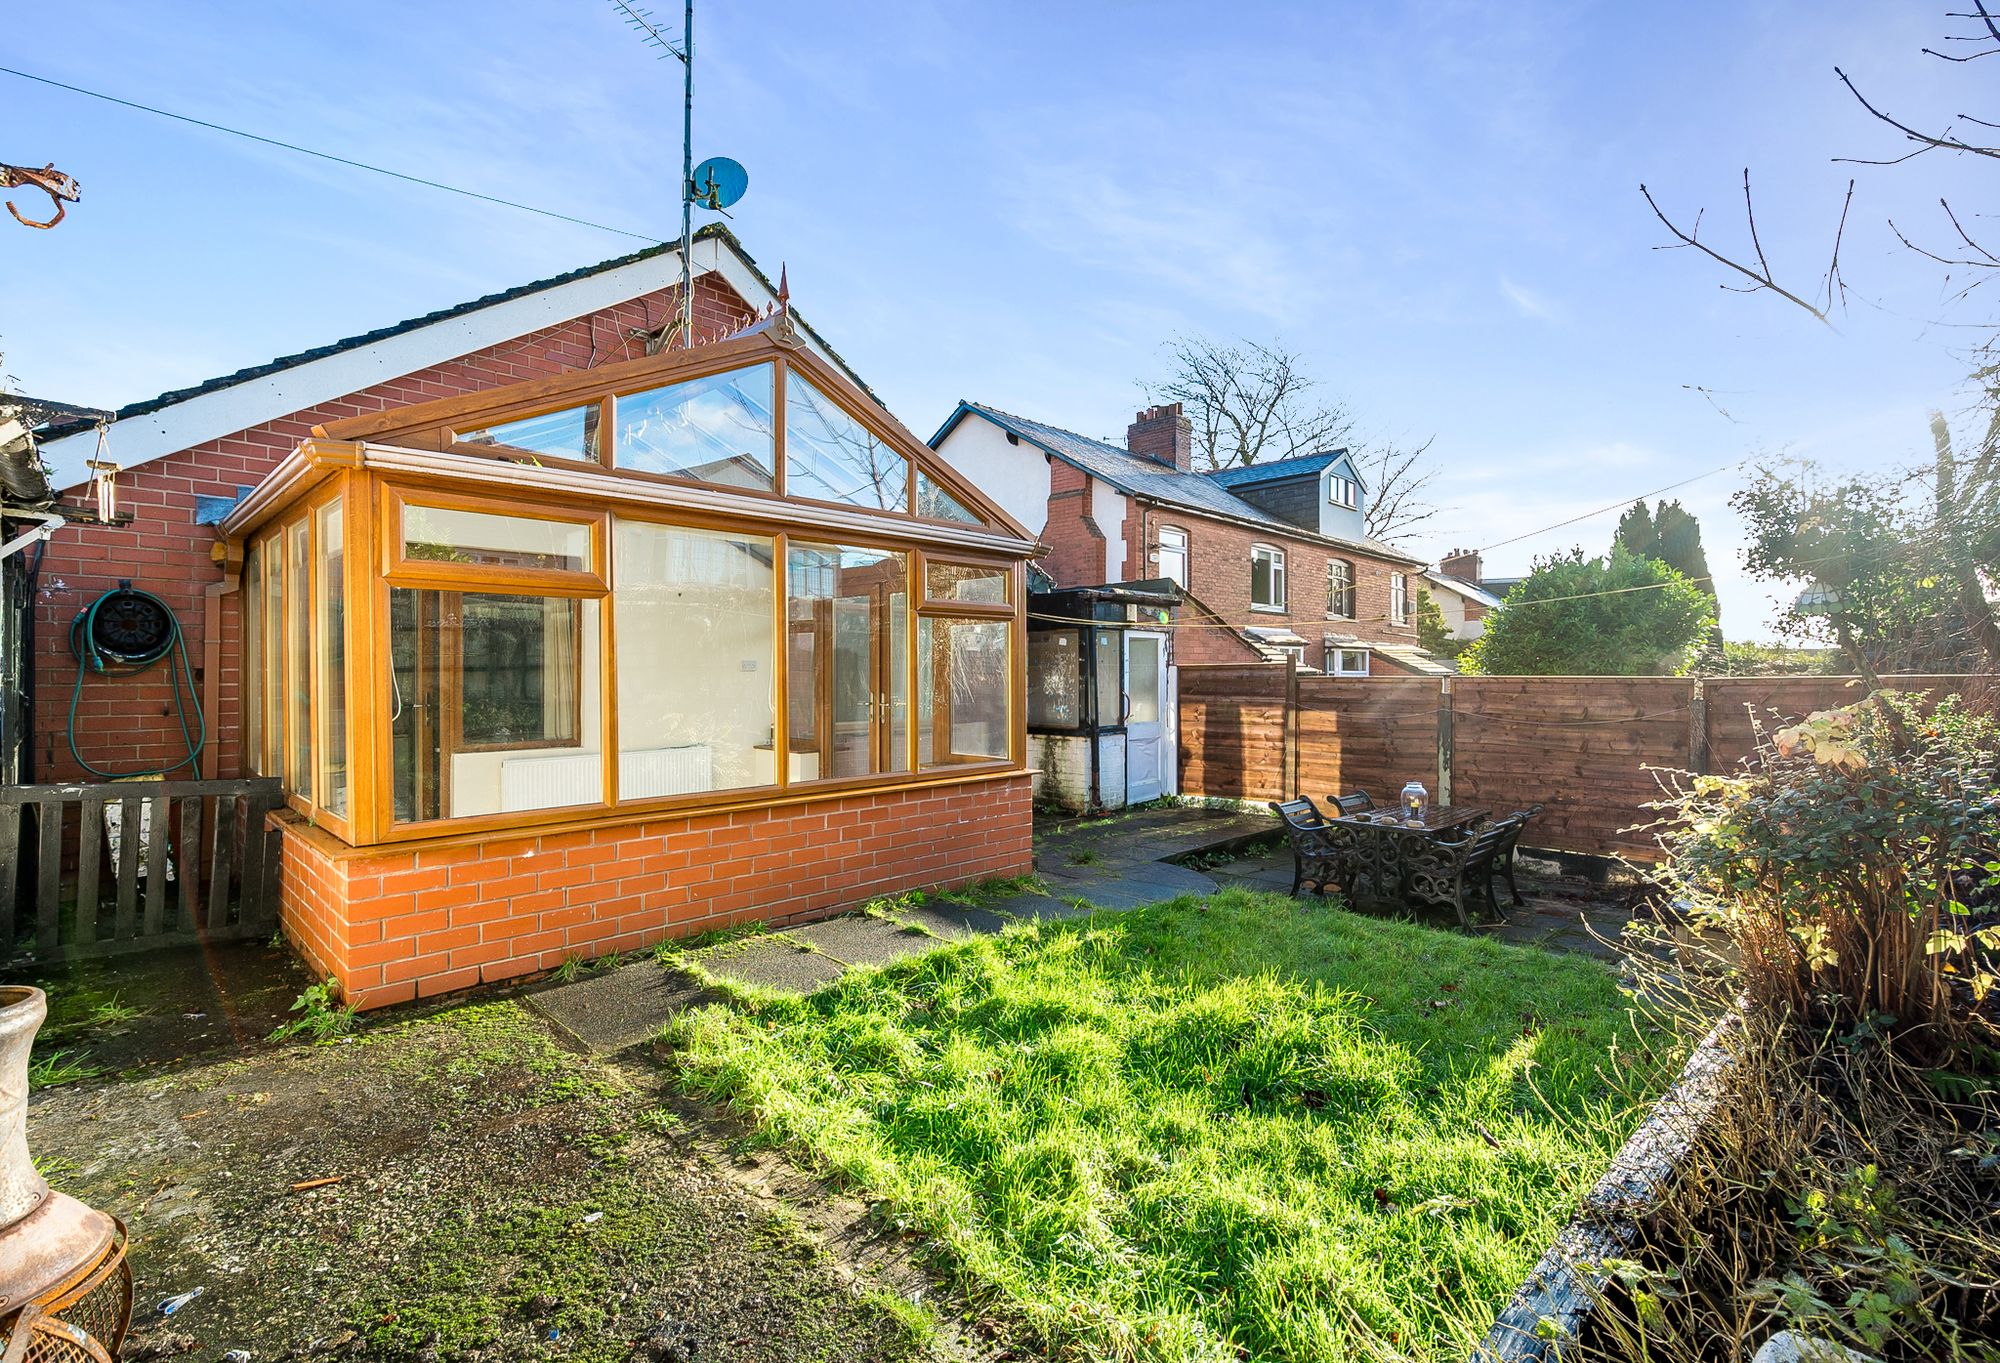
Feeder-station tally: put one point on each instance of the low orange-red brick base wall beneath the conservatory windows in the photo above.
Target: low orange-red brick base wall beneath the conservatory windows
(393, 924)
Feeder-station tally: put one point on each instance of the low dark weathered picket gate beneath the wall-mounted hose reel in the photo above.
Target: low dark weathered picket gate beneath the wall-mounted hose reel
(127, 866)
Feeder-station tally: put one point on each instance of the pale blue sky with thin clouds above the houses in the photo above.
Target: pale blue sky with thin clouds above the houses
(1437, 205)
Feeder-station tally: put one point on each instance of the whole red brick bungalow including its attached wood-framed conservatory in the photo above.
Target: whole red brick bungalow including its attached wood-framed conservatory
(399, 563)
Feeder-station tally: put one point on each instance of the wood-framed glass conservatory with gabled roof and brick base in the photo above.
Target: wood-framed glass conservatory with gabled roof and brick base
(713, 609)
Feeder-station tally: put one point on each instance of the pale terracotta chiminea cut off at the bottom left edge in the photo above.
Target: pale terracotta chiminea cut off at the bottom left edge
(55, 1252)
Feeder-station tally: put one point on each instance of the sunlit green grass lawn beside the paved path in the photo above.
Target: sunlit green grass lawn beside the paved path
(1213, 1128)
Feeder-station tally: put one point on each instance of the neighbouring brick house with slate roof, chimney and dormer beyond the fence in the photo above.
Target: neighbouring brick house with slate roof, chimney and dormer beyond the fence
(1275, 557)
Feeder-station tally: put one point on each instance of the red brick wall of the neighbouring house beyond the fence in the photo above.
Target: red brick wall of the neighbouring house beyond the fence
(1219, 577)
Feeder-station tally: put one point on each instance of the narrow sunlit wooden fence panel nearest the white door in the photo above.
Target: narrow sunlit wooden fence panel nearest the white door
(1235, 724)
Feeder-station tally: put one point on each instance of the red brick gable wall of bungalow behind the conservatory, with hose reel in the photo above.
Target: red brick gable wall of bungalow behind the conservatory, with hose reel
(129, 722)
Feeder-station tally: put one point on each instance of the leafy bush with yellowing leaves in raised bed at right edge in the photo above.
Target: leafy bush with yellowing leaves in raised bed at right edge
(1857, 870)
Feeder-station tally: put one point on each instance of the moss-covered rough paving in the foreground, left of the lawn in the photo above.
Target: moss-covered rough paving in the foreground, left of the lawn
(499, 1198)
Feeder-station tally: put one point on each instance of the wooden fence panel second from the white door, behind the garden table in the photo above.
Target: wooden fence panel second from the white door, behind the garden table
(1369, 734)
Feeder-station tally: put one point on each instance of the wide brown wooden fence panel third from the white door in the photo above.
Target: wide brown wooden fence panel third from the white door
(1585, 748)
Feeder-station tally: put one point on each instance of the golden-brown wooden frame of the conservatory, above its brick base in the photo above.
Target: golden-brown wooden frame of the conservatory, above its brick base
(317, 641)
